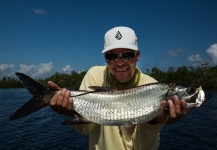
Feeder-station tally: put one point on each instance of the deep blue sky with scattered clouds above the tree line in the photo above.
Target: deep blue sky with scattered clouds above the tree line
(42, 37)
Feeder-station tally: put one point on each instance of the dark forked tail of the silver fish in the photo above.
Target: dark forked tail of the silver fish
(38, 91)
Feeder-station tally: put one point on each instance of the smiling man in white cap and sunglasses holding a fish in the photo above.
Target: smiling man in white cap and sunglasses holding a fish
(121, 55)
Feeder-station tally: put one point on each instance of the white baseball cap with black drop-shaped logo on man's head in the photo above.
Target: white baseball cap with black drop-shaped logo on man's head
(120, 37)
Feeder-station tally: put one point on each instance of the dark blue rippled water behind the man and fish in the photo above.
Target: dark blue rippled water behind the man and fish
(43, 129)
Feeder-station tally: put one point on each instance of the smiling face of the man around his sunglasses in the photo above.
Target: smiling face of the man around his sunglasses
(121, 70)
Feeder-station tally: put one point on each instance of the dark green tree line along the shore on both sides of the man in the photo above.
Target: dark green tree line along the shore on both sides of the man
(203, 75)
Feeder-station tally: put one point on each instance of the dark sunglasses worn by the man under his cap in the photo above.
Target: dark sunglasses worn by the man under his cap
(125, 56)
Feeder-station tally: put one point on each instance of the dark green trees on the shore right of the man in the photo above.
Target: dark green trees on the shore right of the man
(204, 76)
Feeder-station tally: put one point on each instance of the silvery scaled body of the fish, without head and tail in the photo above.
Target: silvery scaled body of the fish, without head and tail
(123, 107)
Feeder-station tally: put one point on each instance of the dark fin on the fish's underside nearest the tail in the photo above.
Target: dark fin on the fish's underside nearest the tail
(75, 119)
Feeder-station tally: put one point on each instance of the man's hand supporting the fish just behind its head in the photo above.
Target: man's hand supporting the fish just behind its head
(171, 111)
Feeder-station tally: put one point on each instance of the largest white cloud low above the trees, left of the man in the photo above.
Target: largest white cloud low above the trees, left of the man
(37, 71)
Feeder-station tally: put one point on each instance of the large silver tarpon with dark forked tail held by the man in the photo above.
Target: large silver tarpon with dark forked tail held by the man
(111, 107)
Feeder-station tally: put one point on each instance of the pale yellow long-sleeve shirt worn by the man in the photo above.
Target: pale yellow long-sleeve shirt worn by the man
(144, 137)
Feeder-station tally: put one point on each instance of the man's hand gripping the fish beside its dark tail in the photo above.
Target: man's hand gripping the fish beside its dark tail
(61, 102)
